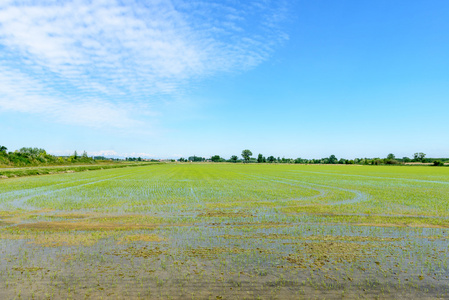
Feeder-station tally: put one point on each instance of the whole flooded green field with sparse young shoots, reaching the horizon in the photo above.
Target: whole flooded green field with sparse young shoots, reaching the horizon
(225, 231)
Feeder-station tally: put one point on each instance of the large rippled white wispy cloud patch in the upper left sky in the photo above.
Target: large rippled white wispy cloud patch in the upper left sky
(82, 62)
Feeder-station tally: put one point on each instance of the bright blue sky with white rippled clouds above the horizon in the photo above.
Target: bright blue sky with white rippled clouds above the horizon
(166, 79)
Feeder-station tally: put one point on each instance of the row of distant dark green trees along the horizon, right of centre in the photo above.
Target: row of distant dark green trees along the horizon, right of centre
(390, 159)
